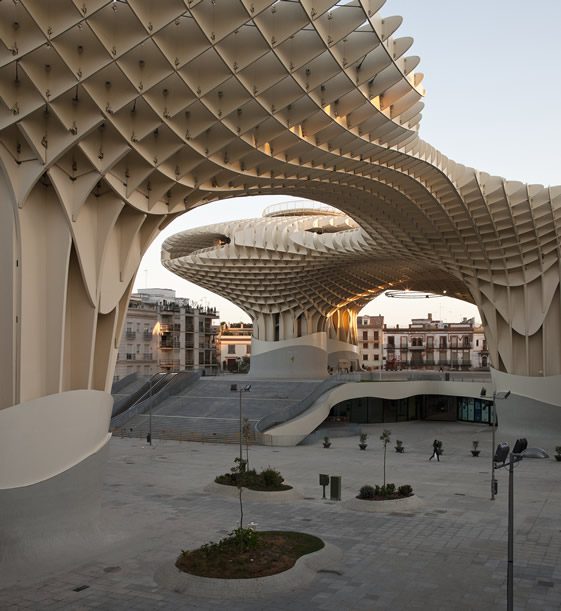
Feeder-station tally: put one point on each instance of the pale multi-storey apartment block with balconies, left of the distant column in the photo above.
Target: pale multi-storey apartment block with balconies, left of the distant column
(166, 333)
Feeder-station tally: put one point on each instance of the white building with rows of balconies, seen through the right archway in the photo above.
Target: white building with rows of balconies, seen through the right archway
(434, 344)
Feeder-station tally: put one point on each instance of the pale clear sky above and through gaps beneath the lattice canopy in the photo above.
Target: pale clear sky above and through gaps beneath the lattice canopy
(493, 91)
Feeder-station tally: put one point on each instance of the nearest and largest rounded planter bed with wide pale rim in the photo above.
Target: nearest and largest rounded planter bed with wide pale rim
(296, 556)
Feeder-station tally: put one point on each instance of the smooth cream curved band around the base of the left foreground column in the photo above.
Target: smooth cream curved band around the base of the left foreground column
(44, 437)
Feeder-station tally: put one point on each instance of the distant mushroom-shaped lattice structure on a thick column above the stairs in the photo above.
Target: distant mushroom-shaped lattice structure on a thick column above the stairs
(292, 271)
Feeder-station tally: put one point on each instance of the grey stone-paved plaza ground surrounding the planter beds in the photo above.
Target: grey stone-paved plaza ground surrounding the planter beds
(451, 553)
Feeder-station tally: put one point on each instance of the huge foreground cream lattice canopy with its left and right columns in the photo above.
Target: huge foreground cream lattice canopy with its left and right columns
(118, 116)
